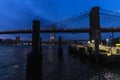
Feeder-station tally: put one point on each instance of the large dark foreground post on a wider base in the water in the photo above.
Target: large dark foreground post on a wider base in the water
(34, 59)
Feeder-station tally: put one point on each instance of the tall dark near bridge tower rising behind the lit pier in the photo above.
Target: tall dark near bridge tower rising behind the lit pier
(94, 24)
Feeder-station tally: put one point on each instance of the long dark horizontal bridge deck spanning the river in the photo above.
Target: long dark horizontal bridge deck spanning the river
(82, 30)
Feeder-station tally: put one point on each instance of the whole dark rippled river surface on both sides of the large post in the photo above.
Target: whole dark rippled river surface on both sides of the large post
(70, 67)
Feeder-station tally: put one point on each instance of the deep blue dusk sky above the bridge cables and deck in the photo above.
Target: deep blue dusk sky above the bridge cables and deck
(18, 14)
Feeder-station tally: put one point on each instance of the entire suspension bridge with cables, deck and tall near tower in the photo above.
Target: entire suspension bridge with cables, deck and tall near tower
(95, 20)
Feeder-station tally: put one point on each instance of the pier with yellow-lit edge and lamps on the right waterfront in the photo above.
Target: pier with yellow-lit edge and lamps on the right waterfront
(106, 54)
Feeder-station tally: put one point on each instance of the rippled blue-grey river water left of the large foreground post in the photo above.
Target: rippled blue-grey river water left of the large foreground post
(12, 60)
